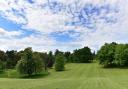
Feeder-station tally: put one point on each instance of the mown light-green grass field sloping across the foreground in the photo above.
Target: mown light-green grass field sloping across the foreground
(76, 76)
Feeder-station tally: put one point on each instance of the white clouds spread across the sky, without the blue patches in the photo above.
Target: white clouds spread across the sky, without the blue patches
(45, 22)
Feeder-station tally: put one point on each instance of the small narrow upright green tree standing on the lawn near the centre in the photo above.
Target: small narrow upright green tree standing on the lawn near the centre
(59, 62)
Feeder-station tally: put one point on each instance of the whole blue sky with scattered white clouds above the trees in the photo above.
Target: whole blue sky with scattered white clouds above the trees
(66, 25)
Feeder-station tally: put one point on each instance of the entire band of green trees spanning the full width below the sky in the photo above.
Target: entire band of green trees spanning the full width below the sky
(29, 62)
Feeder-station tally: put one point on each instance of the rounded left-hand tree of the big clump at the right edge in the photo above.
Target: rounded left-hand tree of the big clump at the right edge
(106, 54)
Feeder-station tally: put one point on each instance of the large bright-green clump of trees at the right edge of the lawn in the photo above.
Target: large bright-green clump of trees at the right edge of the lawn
(113, 55)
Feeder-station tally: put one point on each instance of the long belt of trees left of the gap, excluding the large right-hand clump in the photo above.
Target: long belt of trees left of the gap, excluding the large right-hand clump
(29, 62)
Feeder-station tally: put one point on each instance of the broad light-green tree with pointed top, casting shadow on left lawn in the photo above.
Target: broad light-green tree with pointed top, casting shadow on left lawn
(30, 63)
